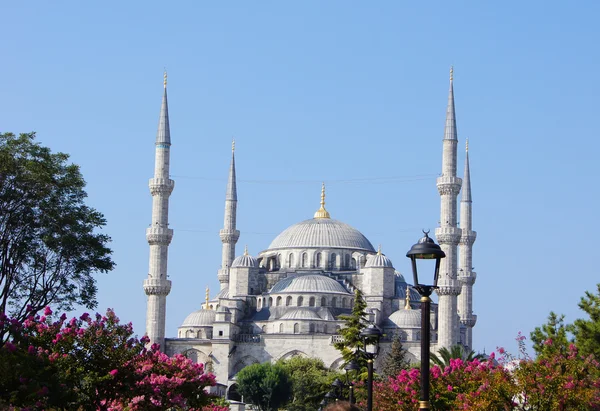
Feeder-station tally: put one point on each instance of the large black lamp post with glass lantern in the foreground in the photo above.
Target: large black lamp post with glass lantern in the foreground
(425, 249)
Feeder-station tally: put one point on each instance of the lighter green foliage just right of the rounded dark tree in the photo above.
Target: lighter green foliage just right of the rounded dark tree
(310, 381)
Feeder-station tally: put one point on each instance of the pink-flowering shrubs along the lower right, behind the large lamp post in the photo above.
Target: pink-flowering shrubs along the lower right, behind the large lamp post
(562, 382)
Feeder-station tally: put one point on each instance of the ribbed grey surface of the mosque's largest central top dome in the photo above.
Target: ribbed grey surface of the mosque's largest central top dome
(321, 233)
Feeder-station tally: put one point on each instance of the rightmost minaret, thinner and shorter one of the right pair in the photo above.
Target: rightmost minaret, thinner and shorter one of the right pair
(466, 275)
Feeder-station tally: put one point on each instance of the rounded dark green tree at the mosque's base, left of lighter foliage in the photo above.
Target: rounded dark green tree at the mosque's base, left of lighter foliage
(266, 385)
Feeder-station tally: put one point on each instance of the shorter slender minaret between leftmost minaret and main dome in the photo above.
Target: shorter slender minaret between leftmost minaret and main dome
(229, 234)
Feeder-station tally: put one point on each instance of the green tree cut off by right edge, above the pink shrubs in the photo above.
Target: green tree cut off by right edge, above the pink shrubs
(587, 331)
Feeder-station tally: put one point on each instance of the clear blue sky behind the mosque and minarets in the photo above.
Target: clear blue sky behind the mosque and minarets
(333, 91)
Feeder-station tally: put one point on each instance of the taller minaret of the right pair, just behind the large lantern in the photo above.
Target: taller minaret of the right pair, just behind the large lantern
(448, 234)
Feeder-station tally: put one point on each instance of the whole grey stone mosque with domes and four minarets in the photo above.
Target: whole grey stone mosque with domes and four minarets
(287, 300)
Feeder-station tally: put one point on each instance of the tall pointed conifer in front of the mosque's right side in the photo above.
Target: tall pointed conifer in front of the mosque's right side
(353, 324)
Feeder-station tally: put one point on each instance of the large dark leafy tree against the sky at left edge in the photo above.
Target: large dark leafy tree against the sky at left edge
(49, 244)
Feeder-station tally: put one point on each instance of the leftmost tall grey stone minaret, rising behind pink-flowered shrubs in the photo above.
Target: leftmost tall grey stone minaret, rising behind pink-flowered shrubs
(159, 235)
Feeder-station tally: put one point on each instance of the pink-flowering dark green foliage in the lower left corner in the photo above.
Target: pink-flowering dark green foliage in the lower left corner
(93, 363)
